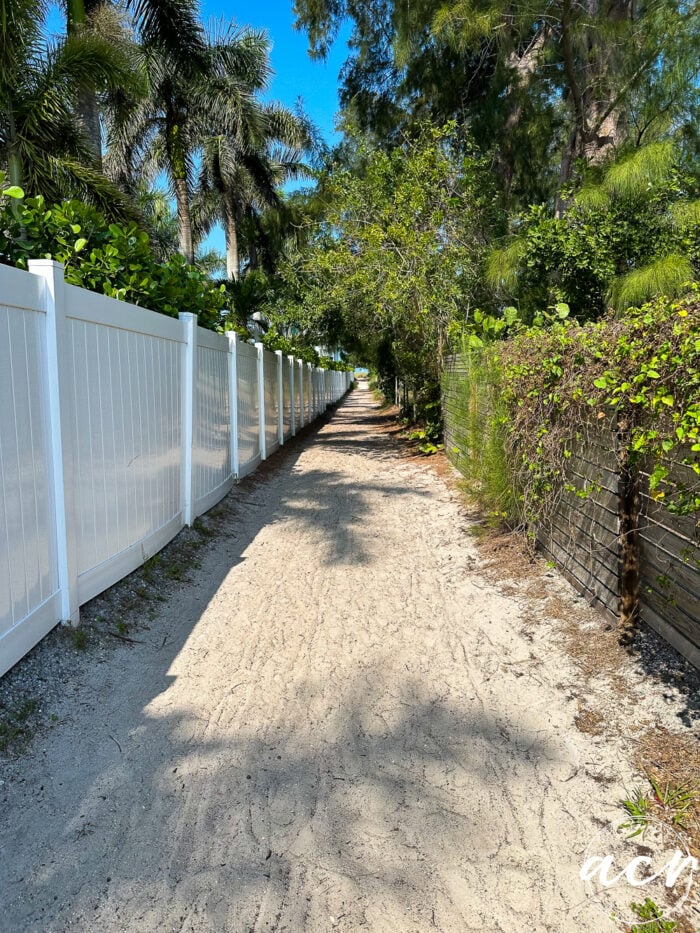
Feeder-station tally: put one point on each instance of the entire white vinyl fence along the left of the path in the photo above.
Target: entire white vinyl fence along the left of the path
(118, 426)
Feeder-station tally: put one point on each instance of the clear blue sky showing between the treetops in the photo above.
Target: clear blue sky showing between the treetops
(295, 74)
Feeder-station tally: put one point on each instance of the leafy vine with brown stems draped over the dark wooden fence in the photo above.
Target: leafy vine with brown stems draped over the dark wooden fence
(550, 386)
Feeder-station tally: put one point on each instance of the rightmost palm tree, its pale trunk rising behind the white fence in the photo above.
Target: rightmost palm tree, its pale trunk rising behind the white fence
(241, 174)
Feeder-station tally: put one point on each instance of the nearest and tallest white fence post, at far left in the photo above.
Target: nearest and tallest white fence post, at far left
(59, 418)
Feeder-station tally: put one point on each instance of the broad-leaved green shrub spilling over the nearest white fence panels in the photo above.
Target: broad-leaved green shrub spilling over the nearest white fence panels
(113, 259)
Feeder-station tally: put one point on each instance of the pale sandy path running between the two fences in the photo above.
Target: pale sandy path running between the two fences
(344, 730)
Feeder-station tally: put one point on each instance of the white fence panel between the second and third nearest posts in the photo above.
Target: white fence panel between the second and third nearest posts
(211, 455)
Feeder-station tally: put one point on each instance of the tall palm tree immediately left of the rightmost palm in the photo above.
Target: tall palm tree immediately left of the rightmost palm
(164, 129)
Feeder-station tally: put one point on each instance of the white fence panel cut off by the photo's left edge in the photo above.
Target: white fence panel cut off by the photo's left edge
(28, 571)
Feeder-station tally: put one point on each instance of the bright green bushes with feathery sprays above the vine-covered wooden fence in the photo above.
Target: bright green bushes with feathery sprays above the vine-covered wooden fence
(631, 237)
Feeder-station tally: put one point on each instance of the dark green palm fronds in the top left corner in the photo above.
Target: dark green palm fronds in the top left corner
(42, 143)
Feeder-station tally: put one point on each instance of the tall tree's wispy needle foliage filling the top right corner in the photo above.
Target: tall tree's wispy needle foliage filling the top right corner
(545, 88)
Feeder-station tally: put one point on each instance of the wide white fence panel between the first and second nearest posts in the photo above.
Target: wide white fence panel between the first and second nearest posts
(125, 389)
